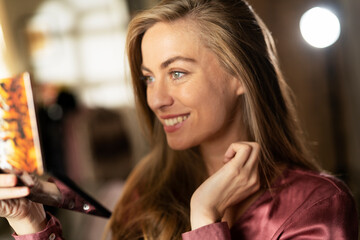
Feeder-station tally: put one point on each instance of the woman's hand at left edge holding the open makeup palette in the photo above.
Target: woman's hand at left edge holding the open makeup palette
(24, 216)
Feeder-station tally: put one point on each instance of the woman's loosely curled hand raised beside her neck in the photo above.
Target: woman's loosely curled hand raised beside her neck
(231, 184)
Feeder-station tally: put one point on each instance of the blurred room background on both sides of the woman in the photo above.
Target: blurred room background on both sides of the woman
(74, 51)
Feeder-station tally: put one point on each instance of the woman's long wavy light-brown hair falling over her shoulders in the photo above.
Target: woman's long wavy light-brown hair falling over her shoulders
(155, 203)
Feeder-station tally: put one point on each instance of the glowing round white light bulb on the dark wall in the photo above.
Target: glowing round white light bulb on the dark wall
(320, 27)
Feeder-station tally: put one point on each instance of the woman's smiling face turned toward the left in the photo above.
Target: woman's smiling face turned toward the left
(193, 97)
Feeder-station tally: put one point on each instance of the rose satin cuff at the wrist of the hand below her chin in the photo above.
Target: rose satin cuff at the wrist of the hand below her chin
(214, 231)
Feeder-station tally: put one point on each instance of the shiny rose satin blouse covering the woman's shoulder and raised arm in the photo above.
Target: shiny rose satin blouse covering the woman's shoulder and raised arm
(300, 205)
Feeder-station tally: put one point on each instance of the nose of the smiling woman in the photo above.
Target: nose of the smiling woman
(158, 95)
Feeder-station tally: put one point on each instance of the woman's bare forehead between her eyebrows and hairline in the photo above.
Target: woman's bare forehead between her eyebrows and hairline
(165, 40)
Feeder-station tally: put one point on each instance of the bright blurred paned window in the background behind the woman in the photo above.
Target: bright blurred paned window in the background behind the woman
(80, 44)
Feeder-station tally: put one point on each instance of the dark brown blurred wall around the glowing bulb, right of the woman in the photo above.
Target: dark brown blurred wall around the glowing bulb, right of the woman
(326, 82)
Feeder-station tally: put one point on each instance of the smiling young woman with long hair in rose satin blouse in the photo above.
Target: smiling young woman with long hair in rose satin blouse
(228, 159)
